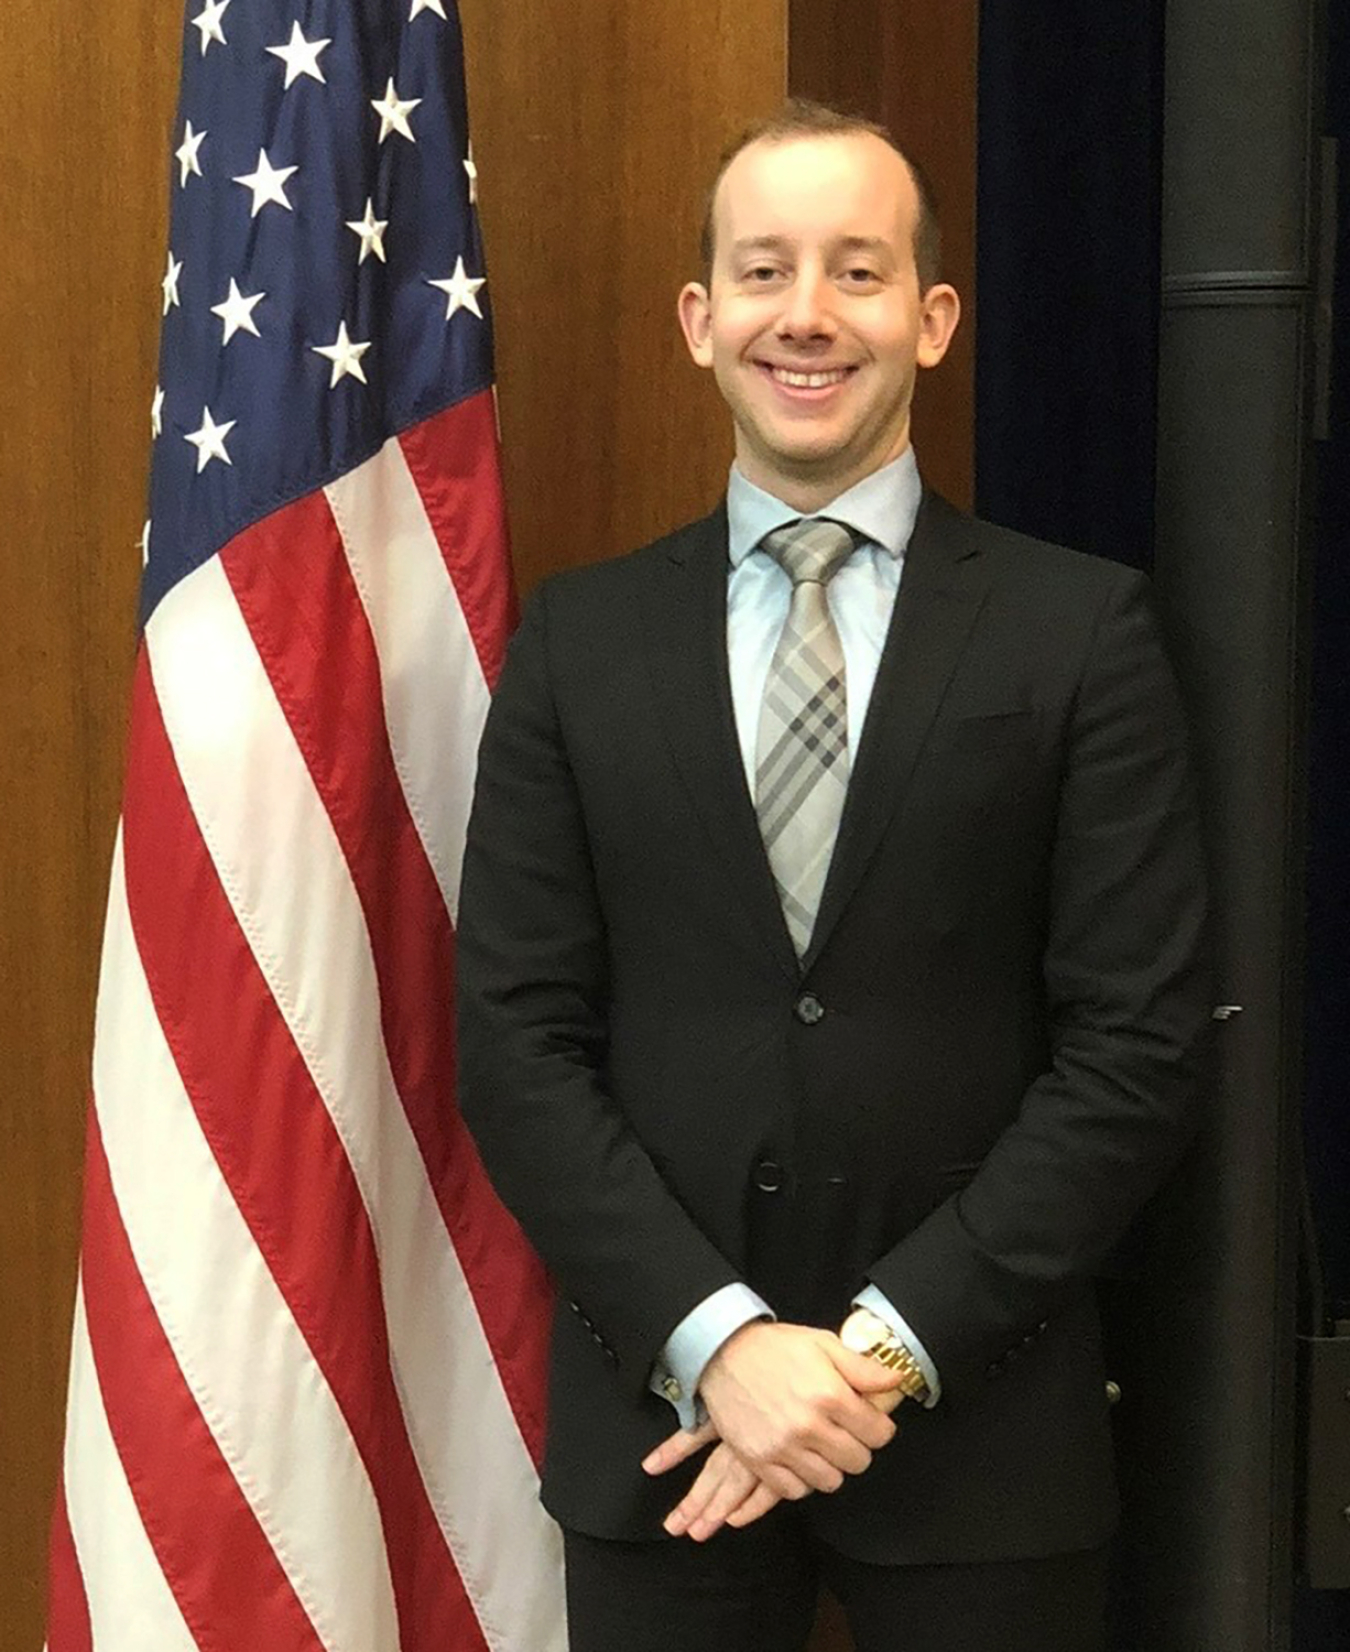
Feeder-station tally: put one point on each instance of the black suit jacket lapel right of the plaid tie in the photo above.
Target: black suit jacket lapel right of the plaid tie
(941, 594)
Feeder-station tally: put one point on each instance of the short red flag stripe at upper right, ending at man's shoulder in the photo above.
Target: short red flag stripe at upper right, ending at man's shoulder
(455, 465)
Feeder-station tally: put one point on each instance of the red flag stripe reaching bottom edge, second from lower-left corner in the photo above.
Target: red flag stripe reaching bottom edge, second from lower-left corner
(216, 1557)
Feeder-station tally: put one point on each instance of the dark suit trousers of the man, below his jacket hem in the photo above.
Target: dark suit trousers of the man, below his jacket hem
(756, 1592)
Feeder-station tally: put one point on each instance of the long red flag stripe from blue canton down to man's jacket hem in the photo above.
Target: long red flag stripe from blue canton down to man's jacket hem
(303, 609)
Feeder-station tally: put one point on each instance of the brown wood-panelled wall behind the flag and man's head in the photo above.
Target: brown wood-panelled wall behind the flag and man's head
(596, 131)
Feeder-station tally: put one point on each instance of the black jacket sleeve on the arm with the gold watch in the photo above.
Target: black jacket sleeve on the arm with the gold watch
(1129, 1005)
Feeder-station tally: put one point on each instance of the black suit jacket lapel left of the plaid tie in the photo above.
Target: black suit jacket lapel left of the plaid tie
(687, 624)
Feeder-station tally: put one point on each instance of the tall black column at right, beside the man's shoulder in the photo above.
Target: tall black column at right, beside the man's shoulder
(1230, 569)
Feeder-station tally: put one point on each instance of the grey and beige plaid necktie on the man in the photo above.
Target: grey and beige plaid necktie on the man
(802, 754)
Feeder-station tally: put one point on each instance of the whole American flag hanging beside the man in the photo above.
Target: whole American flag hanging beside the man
(307, 1375)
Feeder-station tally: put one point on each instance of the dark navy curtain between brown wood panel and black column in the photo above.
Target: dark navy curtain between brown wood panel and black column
(1070, 164)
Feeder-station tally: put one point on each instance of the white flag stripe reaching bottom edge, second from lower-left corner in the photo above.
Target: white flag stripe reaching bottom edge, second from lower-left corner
(250, 1372)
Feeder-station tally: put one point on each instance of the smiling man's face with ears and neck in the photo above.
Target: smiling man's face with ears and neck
(814, 325)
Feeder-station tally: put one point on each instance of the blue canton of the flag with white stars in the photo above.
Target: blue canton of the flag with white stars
(325, 278)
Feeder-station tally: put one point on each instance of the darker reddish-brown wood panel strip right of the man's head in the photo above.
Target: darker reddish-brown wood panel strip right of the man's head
(915, 67)
